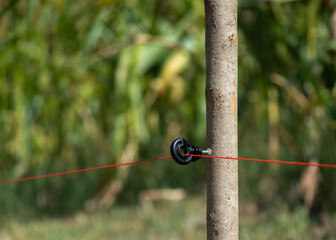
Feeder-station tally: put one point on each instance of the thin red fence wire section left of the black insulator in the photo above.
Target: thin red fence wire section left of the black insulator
(80, 170)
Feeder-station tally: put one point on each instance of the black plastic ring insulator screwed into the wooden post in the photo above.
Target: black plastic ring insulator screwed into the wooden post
(181, 146)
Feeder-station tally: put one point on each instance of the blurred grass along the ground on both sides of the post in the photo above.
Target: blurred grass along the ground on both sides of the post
(167, 220)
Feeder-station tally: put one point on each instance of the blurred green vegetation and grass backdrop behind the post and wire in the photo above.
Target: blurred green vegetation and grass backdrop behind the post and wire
(89, 83)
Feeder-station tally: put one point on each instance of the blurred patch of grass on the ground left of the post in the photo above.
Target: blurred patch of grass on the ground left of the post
(163, 220)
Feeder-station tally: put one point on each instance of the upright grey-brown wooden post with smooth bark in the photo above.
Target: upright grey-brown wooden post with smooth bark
(221, 104)
